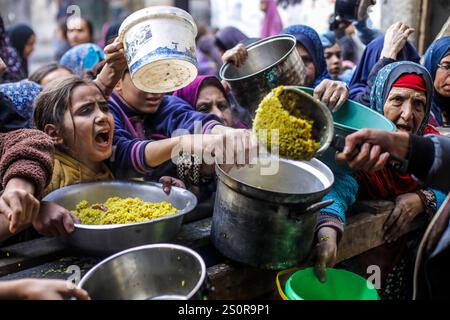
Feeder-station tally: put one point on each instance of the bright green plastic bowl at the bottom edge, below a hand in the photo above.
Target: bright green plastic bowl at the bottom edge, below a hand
(340, 285)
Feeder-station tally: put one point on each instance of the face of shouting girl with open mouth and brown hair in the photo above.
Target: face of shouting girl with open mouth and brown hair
(89, 130)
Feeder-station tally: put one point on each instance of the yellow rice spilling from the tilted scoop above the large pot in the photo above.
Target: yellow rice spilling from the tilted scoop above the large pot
(295, 133)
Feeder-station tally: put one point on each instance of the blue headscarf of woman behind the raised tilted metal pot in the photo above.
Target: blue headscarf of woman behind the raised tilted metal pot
(309, 38)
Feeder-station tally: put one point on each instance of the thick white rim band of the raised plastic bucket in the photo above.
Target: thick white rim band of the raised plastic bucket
(155, 12)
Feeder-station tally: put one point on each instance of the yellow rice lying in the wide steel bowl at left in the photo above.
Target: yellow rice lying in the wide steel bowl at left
(122, 211)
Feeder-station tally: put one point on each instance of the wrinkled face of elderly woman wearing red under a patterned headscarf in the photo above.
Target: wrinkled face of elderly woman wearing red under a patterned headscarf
(406, 108)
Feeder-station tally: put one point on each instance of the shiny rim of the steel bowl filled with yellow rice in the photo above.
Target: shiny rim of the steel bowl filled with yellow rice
(191, 206)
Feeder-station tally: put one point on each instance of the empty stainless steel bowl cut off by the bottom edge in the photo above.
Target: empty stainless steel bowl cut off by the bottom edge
(153, 272)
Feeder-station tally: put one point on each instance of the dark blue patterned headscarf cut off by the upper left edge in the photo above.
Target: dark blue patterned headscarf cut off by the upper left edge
(11, 58)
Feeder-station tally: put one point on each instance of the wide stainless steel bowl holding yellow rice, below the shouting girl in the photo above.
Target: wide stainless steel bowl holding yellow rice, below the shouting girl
(108, 239)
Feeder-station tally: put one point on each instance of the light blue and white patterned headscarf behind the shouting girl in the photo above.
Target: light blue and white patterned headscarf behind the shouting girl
(82, 57)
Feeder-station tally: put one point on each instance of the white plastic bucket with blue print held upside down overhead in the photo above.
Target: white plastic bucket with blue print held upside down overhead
(159, 44)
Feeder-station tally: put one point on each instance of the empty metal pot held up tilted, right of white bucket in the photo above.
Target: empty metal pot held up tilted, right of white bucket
(271, 62)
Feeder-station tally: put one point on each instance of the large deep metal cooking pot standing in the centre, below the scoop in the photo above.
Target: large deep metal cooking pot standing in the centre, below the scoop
(268, 221)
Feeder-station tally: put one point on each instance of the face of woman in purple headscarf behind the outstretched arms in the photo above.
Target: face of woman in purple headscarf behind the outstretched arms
(212, 101)
